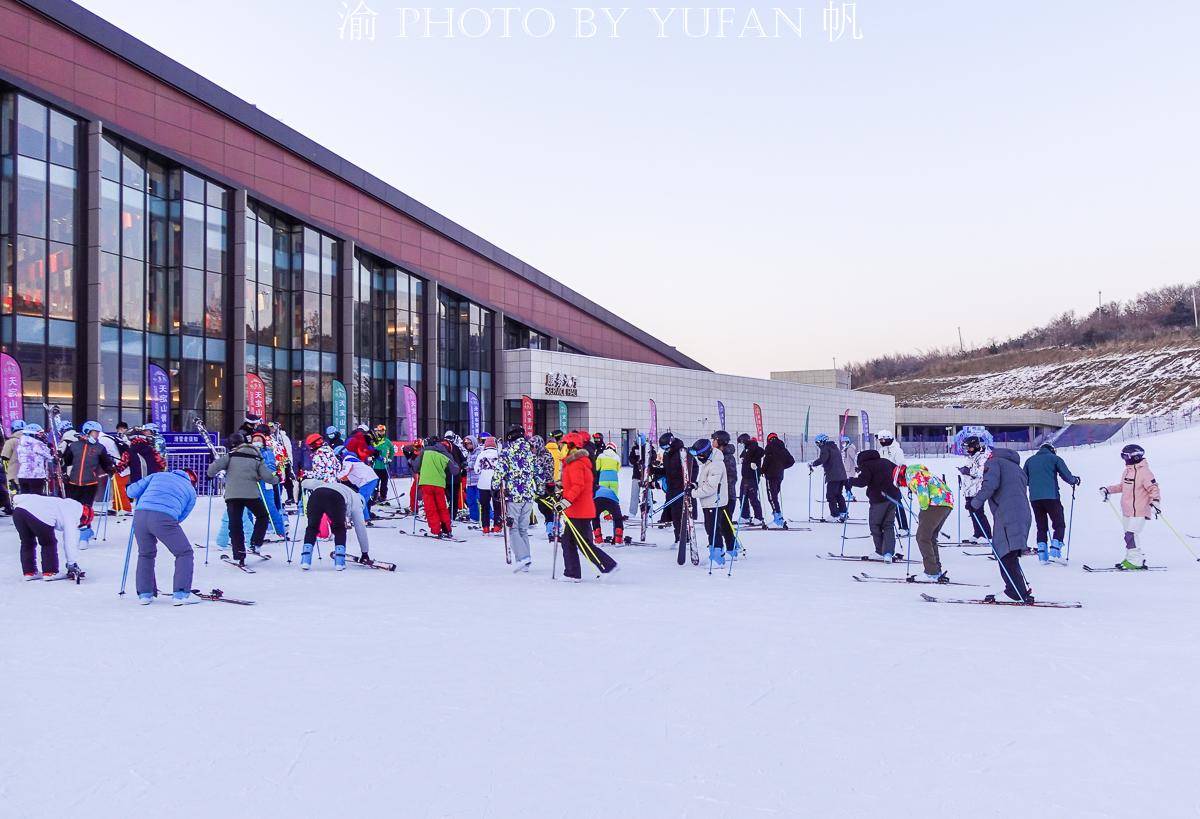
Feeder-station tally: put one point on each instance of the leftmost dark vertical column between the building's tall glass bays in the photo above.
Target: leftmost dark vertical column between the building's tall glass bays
(91, 325)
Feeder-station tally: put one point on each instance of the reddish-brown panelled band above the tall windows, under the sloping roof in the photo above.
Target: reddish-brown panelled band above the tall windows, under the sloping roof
(57, 61)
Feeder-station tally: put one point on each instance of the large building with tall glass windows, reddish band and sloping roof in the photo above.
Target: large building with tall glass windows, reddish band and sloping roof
(152, 223)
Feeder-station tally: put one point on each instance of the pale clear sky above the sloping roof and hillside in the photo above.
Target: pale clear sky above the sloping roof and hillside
(767, 204)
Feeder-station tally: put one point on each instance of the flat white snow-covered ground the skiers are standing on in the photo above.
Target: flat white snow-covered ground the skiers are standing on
(455, 689)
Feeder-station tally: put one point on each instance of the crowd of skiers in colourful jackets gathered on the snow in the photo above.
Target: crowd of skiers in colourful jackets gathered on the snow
(573, 480)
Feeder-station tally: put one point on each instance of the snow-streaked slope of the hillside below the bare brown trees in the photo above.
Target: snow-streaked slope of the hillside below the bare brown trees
(1079, 384)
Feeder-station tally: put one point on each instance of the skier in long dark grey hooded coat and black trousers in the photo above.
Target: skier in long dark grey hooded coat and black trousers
(1006, 489)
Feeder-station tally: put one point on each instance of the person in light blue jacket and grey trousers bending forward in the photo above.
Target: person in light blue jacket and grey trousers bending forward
(164, 503)
